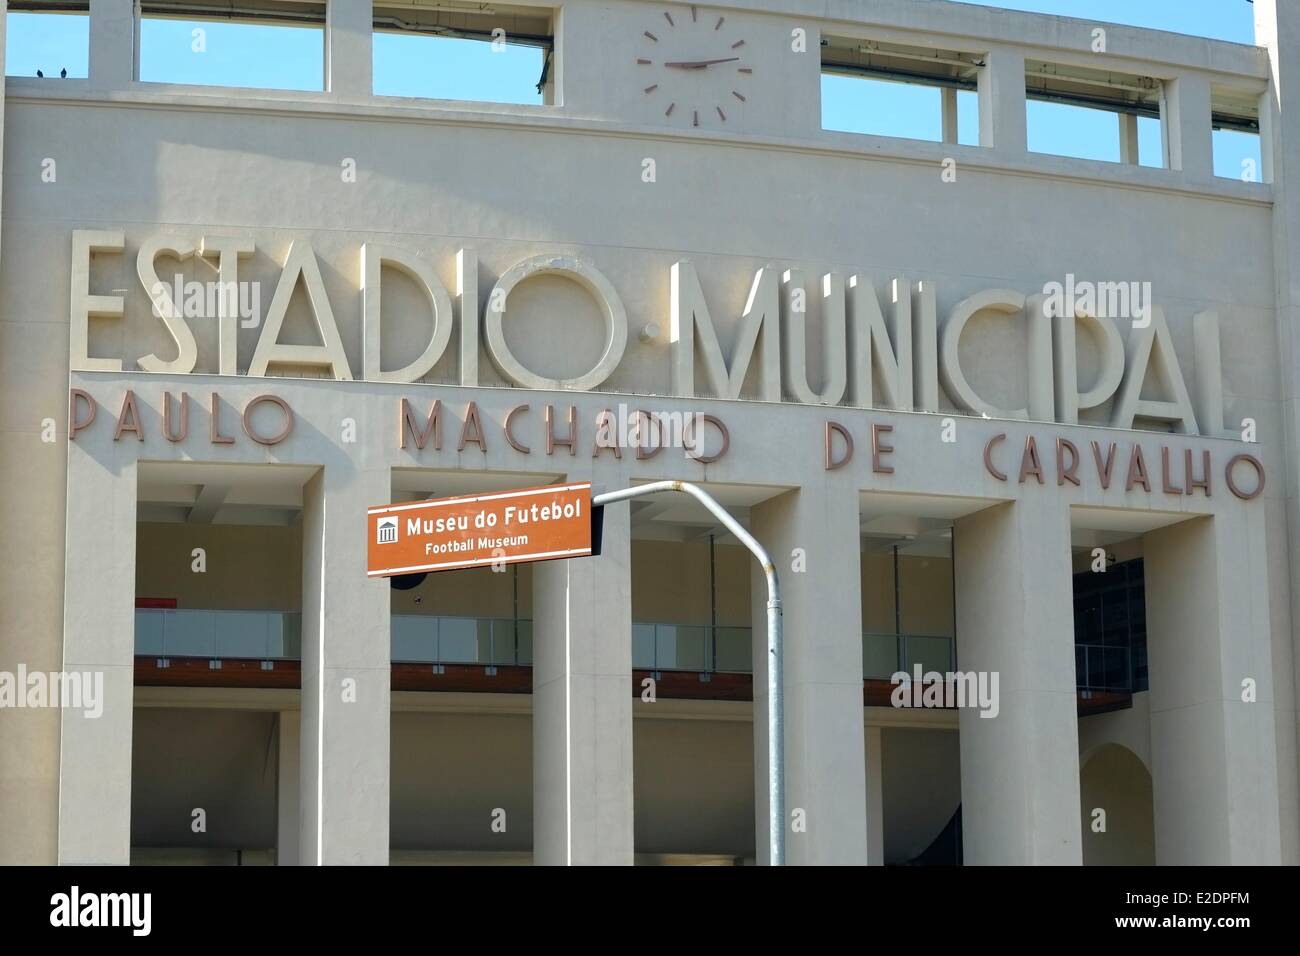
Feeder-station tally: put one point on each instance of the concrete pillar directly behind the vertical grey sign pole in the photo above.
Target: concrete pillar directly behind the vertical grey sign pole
(813, 539)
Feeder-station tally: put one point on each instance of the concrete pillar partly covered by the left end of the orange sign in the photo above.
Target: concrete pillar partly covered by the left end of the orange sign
(344, 776)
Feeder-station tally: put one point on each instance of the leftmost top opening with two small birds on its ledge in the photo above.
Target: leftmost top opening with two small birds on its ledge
(50, 37)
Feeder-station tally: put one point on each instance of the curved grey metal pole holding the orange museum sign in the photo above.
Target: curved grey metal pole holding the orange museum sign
(775, 678)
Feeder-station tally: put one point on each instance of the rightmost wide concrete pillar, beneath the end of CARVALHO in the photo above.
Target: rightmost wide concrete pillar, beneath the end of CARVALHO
(1215, 772)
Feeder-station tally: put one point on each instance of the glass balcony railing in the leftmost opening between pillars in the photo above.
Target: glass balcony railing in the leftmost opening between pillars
(213, 634)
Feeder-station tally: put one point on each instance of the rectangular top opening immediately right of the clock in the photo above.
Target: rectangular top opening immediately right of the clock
(892, 90)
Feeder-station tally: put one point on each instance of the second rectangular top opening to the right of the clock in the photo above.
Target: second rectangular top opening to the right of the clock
(1095, 115)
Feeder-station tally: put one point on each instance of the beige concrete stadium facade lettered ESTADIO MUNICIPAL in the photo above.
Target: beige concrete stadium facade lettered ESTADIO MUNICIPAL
(916, 374)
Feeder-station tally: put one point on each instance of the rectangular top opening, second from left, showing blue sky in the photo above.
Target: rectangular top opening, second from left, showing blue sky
(267, 45)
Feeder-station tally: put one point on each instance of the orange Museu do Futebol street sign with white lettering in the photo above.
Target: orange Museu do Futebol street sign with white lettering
(471, 530)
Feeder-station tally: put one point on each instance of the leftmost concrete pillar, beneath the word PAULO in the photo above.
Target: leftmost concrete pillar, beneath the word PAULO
(99, 638)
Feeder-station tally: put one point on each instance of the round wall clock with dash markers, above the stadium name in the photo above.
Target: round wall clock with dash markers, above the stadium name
(694, 68)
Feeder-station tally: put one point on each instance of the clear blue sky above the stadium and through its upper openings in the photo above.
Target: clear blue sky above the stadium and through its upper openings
(292, 59)
